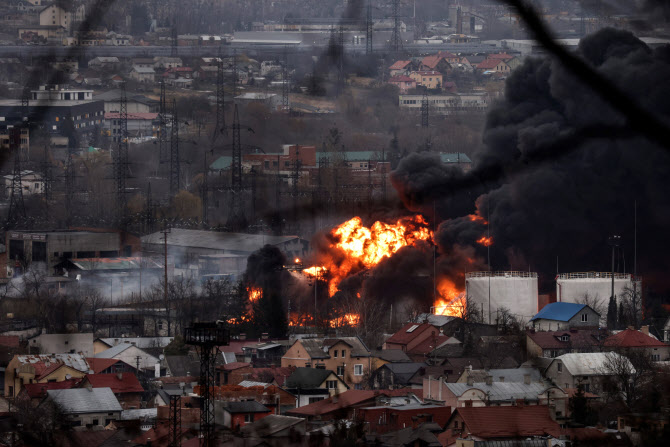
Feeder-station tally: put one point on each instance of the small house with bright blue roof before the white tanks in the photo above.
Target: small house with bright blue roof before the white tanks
(563, 316)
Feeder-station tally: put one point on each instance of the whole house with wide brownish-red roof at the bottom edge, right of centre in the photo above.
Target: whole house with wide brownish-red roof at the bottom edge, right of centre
(499, 424)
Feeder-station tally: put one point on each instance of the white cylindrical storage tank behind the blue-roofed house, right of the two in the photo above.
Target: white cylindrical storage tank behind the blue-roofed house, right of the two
(575, 287)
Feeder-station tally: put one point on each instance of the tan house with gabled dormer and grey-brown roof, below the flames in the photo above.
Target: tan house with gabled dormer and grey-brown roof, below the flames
(347, 356)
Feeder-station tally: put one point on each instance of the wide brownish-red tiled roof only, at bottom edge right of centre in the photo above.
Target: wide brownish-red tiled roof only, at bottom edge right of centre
(508, 422)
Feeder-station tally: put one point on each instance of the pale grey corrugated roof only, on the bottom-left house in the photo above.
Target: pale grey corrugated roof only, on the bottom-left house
(84, 400)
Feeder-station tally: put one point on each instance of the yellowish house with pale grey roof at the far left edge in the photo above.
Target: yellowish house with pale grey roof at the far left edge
(24, 369)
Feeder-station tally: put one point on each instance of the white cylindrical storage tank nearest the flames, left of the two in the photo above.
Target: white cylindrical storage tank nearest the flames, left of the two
(514, 291)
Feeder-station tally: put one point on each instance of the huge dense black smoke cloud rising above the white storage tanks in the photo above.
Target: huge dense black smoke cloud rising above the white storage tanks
(560, 209)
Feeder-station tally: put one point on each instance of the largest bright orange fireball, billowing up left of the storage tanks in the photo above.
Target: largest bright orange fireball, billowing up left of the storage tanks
(365, 247)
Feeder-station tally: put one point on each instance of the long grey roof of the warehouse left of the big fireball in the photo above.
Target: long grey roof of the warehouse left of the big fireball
(217, 240)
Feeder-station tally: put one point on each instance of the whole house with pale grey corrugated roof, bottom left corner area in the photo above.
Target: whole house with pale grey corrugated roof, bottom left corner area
(90, 407)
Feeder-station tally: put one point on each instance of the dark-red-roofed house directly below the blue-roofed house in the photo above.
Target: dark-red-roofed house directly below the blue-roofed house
(554, 343)
